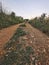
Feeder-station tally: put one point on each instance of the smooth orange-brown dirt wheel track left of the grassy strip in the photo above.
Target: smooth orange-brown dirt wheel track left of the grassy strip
(6, 34)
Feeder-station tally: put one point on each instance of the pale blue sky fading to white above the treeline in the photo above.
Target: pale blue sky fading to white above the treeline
(27, 8)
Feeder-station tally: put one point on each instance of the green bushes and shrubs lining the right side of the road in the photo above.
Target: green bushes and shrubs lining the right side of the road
(41, 23)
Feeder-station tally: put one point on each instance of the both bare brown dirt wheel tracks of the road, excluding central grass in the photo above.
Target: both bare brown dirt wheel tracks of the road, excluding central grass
(38, 40)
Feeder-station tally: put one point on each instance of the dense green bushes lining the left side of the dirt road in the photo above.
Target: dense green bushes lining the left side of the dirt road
(7, 20)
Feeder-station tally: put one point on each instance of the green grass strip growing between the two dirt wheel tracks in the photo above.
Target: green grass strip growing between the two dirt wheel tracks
(16, 54)
